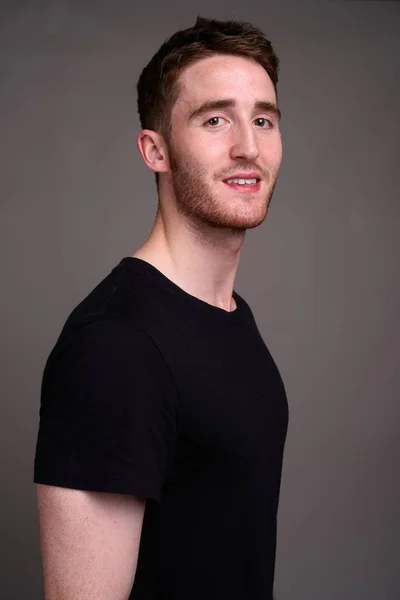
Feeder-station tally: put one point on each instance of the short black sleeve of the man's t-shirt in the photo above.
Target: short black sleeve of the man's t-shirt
(108, 415)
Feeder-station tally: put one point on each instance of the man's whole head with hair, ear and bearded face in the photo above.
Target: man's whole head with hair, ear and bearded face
(207, 102)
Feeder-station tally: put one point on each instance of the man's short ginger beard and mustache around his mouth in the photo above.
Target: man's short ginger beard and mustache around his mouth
(196, 200)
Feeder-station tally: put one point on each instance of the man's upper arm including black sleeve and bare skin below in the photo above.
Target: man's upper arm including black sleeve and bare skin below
(106, 437)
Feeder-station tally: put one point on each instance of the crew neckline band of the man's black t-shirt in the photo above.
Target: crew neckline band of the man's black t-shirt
(158, 277)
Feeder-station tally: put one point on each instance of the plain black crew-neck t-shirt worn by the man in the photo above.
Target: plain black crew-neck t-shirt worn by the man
(152, 392)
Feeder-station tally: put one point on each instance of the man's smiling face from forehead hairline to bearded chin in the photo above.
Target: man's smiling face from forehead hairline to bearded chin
(224, 130)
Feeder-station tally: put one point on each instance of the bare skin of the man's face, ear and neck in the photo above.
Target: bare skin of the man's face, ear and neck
(201, 223)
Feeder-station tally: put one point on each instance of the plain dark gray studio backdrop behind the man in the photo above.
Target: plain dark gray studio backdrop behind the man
(321, 274)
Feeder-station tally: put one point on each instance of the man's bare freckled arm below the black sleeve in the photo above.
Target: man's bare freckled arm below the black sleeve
(89, 543)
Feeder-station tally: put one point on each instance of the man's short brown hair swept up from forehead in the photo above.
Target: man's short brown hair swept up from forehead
(157, 86)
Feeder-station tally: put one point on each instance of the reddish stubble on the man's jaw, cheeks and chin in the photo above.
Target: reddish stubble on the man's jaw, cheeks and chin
(195, 200)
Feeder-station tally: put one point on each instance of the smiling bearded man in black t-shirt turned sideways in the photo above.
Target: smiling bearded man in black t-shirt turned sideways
(163, 416)
